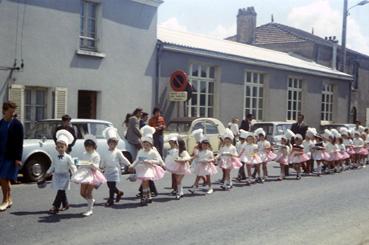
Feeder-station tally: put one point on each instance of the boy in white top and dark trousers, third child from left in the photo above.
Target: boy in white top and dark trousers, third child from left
(112, 162)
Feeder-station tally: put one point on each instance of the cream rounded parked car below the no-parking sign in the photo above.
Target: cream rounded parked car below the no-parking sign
(213, 129)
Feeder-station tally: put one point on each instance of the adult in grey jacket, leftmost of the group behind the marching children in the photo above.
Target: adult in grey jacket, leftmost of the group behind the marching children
(133, 134)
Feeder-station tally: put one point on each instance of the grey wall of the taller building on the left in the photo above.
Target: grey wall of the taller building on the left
(50, 40)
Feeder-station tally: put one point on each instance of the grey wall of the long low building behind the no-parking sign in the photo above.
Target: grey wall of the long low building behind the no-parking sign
(230, 82)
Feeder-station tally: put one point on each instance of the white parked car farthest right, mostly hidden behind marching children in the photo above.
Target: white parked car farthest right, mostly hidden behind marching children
(273, 130)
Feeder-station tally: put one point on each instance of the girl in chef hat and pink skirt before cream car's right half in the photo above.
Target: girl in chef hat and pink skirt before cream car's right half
(204, 164)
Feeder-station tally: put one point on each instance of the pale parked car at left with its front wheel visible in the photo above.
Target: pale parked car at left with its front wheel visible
(39, 145)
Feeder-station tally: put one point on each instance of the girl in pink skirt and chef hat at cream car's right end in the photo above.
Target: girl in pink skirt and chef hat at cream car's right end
(228, 158)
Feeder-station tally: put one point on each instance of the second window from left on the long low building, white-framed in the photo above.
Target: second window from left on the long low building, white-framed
(259, 111)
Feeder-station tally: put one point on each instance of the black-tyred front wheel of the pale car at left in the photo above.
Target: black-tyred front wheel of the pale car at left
(35, 168)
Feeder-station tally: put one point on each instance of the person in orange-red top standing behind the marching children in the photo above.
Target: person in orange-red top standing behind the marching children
(158, 122)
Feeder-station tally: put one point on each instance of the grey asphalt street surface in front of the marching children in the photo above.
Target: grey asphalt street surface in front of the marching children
(332, 209)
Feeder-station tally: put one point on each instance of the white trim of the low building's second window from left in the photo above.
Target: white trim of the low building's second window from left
(252, 84)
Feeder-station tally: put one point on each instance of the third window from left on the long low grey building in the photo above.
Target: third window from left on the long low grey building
(298, 90)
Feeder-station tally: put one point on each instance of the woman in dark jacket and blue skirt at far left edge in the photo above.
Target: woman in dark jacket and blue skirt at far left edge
(11, 149)
